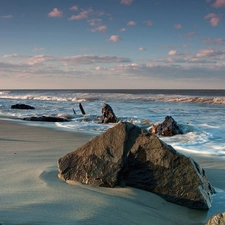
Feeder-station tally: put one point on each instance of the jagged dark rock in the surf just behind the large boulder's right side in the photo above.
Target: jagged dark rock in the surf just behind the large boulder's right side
(168, 127)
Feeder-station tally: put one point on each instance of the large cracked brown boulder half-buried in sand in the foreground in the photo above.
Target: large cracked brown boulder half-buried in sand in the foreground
(126, 155)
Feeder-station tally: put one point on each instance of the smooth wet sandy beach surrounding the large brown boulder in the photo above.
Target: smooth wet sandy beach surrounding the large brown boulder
(31, 192)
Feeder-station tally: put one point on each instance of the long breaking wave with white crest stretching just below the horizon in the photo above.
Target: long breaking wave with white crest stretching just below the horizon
(84, 97)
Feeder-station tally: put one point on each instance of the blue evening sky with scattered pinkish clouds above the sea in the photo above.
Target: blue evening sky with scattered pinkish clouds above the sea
(112, 44)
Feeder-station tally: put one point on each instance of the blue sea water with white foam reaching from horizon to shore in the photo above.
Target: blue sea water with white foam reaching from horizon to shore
(199, 113)
